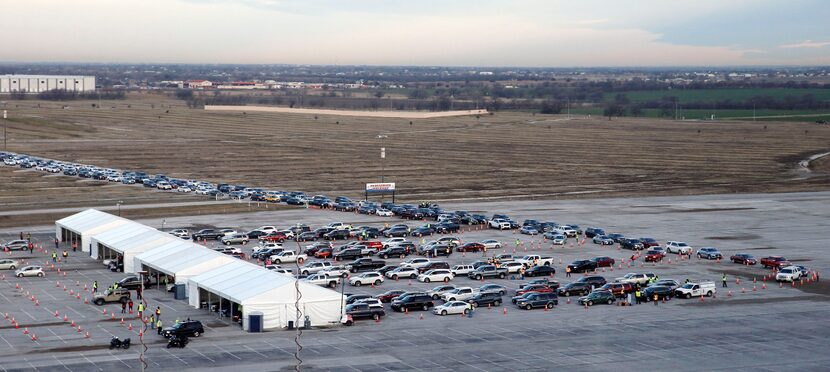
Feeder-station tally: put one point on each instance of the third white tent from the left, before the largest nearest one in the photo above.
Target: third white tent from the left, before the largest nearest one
(183, 260)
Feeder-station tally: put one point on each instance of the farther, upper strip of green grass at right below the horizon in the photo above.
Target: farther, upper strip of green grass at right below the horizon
(714, 95)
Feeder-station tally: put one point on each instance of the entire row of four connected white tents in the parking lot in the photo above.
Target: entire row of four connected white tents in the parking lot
(223, 285)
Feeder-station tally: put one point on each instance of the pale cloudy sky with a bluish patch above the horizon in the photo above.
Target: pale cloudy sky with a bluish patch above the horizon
(524, 33)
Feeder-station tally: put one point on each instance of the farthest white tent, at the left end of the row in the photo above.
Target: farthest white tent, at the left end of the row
(80, 227)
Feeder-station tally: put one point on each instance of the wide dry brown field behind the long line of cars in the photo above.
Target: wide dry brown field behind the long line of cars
(504, 155)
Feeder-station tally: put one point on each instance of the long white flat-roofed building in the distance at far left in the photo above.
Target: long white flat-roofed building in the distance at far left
(45, 83)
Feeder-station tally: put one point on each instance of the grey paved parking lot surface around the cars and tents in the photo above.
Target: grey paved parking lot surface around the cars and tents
(755, 330)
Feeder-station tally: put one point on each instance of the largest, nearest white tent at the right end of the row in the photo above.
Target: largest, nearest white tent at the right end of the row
(273, 294)
